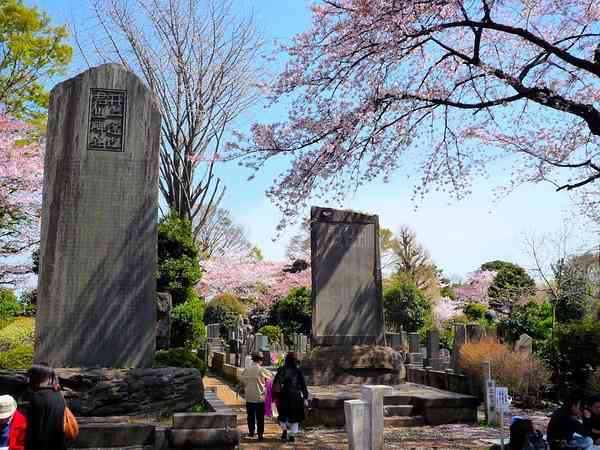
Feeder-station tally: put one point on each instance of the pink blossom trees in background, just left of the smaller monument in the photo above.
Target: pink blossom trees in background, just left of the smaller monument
(249, 278)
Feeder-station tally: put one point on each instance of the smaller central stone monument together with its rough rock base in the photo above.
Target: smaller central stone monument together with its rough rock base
(348, 330)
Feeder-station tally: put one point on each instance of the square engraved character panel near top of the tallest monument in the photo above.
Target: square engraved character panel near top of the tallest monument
(107, 120)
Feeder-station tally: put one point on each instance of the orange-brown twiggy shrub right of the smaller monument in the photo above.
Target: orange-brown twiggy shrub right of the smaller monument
(525, 375)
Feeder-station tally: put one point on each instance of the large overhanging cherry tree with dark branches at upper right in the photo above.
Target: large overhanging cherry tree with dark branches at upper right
(438, 88)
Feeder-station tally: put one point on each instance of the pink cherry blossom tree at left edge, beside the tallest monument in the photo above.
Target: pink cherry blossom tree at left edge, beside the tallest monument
(21, 169)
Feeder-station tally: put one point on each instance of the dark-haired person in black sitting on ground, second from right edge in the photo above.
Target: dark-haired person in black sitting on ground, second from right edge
(565, 428)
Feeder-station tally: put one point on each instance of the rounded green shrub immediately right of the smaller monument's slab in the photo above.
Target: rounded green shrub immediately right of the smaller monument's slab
(406, 305)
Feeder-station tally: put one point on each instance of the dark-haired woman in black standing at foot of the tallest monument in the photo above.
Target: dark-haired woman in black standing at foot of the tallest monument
(46, 414)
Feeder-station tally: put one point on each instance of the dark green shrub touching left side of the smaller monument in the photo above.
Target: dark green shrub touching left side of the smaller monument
(293, 313)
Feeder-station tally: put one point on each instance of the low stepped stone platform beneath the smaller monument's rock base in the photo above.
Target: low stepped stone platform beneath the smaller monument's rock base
(409, 404)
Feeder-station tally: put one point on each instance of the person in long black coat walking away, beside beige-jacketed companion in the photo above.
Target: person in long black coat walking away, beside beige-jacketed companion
(291, 398)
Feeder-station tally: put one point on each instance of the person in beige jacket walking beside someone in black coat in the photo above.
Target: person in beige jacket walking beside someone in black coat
(254, 379)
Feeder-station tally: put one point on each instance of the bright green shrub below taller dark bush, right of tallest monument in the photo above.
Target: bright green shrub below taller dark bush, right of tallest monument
(187, 327)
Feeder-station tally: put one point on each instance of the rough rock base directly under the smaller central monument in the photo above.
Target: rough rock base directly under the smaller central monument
(358, 364)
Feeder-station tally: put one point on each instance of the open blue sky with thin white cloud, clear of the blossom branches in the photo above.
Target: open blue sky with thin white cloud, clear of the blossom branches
(460, 236)
